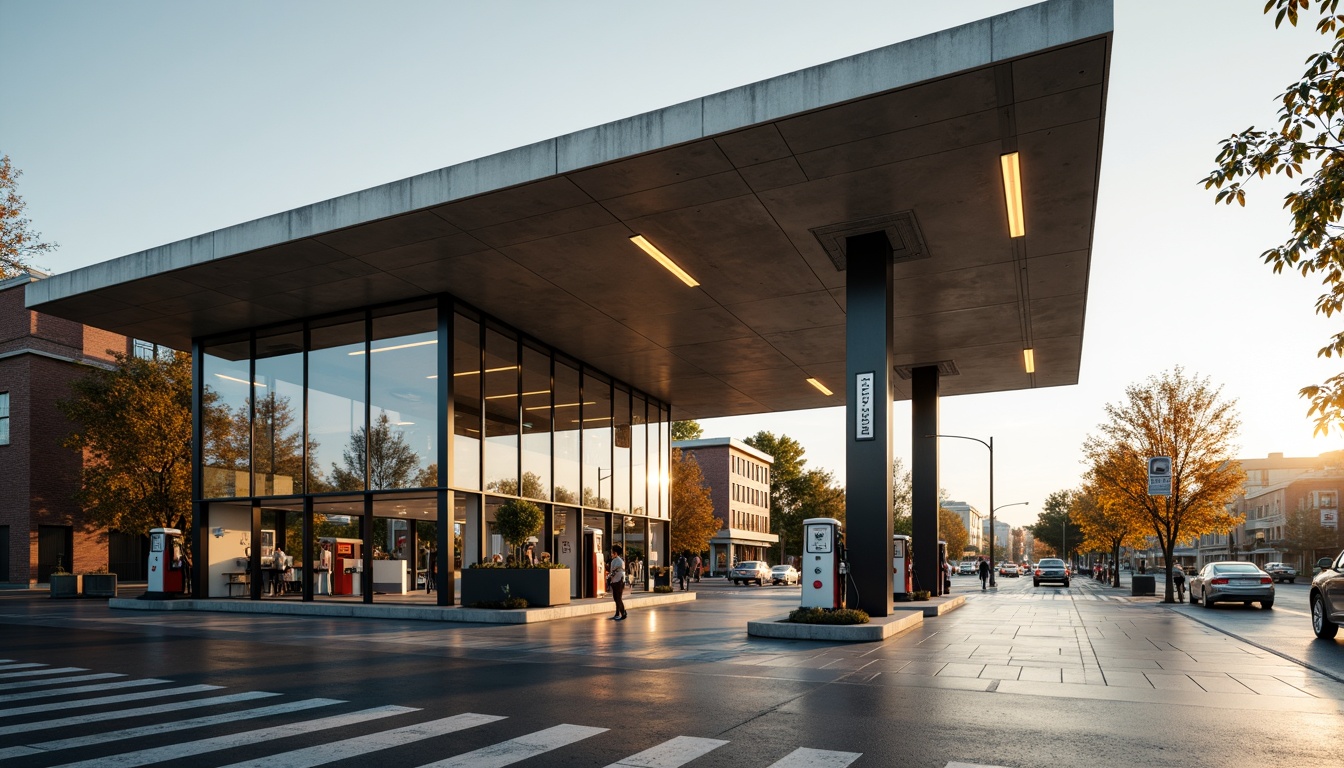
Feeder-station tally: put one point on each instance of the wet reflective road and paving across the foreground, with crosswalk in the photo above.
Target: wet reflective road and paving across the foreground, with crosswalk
(1019, 677)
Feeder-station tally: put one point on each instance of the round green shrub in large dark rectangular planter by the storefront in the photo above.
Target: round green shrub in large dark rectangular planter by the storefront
(537, 584)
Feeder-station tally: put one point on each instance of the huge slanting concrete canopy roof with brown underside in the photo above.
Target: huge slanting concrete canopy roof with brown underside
(743, 189)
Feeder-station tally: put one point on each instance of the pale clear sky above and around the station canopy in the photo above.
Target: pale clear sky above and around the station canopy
(138, 124)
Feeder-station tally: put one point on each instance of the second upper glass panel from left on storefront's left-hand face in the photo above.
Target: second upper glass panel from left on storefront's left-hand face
(279, 419)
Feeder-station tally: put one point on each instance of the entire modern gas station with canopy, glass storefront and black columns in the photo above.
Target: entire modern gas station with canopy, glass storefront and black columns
(905, 224)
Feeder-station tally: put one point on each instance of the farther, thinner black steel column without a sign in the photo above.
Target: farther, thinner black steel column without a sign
(924, 470)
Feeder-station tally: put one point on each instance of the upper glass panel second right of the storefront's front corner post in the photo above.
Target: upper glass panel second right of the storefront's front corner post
(502, 414)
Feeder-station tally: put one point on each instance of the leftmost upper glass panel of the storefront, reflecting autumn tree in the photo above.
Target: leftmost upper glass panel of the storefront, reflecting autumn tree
(226, 418)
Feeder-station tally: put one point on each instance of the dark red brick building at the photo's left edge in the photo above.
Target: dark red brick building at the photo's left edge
(41, 524)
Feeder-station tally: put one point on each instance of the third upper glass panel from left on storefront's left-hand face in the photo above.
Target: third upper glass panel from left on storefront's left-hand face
(337, 407)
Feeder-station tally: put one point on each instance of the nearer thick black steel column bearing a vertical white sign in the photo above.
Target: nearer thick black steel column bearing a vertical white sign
(869, 371)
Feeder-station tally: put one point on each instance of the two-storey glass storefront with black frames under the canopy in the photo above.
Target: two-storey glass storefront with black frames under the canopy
(331, 450)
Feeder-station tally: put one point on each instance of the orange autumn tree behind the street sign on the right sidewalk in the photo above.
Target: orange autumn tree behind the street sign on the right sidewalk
(1189, 420)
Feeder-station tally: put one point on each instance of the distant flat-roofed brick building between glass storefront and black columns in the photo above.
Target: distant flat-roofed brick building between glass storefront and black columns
(740, 485)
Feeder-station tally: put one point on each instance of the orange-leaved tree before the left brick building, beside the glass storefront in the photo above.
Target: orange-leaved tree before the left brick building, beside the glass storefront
(135, 431)
